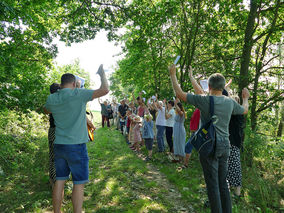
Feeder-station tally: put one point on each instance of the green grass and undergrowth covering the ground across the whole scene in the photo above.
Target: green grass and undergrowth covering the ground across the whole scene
(119, 180)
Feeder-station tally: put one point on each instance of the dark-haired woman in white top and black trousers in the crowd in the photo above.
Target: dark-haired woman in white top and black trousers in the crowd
(170, 120)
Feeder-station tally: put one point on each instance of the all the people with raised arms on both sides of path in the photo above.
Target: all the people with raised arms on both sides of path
(152, 121)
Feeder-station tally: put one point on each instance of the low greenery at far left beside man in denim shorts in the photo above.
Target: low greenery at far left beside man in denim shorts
(23, 146)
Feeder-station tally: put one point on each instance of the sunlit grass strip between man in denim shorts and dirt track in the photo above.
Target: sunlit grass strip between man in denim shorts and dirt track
(120, 181)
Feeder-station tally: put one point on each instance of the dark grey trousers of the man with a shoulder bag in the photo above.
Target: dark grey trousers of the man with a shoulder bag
(215, 173)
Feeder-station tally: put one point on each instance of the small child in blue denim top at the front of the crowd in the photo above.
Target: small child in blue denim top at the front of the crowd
(148, 134)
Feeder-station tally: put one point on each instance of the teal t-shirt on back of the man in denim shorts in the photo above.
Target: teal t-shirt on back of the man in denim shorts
(68, 107)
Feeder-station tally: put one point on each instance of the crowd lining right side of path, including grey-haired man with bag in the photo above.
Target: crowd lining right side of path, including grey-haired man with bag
(145, 121)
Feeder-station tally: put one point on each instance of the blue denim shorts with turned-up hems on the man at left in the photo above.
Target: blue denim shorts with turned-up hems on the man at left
(72, 158)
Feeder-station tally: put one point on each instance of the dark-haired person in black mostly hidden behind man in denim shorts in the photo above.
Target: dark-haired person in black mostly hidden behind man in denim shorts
(51, 136)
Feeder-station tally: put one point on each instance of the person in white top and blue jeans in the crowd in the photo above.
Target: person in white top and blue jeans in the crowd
(160, 124)
